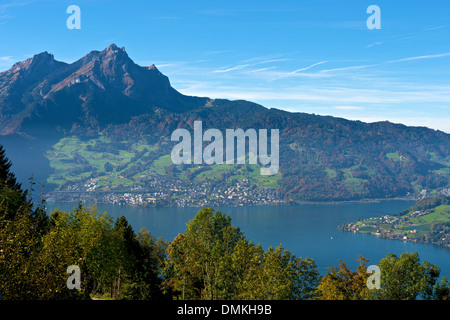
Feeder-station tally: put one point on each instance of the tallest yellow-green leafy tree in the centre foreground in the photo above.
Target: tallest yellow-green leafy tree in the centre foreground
(202, 255)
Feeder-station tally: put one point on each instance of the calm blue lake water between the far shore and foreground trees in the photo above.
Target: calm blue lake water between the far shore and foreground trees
(305, 230)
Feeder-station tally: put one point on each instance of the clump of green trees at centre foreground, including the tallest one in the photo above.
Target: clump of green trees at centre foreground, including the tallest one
(213, 260)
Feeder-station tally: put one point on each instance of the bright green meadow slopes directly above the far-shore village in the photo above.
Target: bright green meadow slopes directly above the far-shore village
(124, 163)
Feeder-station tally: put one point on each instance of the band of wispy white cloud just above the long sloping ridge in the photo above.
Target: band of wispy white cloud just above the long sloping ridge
(326, 86)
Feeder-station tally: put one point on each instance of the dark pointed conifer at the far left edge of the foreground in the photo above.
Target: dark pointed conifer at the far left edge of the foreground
(21, 232)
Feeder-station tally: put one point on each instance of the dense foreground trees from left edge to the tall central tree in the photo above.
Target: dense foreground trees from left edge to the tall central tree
(36, 249)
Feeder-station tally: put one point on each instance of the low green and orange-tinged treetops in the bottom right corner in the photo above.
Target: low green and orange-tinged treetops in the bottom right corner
(402, 278)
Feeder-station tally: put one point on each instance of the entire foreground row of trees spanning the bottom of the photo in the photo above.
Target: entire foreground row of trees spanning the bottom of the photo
(211, 260)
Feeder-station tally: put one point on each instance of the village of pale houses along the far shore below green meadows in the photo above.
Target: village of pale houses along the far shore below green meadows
(162, 190)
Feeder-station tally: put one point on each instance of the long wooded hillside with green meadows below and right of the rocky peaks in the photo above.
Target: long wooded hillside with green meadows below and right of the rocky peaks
(321, 158)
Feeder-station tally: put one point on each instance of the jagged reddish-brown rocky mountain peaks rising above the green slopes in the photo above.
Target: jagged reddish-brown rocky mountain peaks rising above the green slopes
(107, 77)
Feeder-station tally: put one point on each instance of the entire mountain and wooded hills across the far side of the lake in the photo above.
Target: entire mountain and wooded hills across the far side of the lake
(104, 117)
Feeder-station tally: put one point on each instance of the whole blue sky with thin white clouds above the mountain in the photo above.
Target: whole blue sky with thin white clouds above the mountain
(309, 56)
